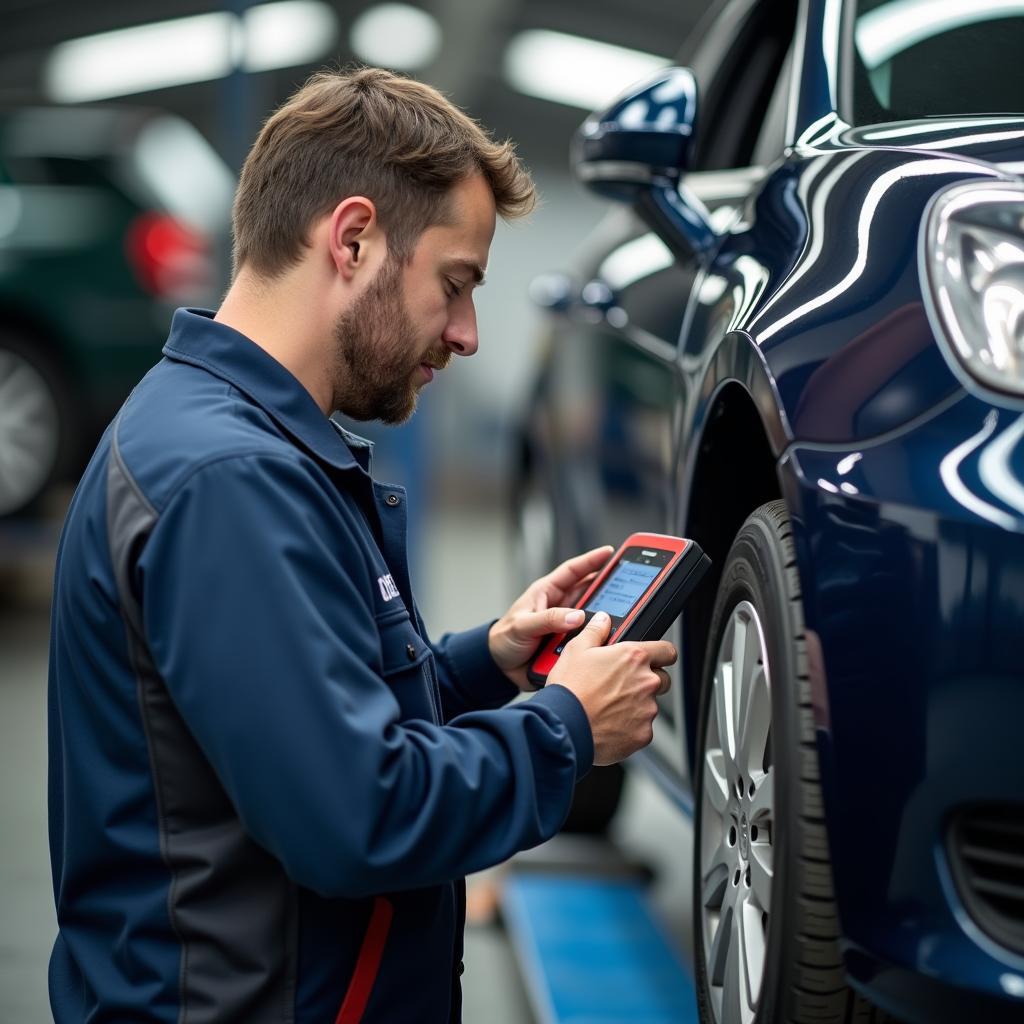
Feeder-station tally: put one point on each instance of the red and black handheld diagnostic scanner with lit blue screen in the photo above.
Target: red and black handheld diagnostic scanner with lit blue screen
(643, 588)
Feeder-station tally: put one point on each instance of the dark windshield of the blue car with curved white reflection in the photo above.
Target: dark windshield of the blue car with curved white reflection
(919, 59)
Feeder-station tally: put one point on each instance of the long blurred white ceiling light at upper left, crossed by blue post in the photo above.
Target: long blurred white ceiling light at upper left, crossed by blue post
(190, 50)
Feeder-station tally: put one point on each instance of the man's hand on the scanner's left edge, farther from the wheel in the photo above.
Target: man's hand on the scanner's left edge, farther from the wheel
(541, 610)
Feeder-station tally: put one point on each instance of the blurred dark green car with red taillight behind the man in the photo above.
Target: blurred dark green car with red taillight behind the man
(110, 219)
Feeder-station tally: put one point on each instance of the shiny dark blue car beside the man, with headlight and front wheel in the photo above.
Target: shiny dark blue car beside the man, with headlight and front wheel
(798, 337)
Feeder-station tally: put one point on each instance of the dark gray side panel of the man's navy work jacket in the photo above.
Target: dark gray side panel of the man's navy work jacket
(230, 904)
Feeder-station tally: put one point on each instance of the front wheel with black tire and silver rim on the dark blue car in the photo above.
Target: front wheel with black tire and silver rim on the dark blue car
(765, 921)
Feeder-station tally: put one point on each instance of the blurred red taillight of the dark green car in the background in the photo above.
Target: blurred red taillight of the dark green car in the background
(170, 260)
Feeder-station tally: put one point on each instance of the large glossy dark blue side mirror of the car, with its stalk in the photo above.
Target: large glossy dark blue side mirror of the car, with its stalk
(637, 151)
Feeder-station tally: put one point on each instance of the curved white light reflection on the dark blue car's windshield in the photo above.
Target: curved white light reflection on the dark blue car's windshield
(886, 31)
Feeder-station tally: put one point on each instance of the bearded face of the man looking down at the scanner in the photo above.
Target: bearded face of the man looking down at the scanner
(411, 319)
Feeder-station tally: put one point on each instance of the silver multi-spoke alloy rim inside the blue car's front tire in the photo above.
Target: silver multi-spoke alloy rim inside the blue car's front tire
(738, 821)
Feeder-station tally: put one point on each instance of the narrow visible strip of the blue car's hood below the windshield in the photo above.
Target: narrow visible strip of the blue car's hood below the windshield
(998, 140)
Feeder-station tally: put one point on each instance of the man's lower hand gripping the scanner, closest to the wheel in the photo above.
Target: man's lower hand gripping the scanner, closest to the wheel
(617, 687)
